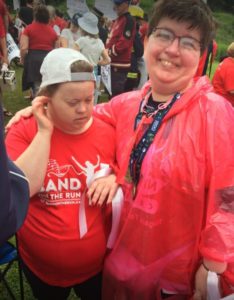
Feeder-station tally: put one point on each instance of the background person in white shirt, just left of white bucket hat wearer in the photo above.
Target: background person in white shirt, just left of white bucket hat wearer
(69, 35)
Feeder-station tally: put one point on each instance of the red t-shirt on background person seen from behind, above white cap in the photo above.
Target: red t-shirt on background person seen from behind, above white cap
(41, 36)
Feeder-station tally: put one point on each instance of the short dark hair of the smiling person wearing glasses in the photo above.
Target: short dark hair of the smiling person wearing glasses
(194, 12)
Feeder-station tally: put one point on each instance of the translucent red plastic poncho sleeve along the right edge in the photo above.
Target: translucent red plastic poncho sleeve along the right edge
(217, 240)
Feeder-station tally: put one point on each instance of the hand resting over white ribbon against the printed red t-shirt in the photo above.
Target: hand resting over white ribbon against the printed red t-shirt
(102, 190)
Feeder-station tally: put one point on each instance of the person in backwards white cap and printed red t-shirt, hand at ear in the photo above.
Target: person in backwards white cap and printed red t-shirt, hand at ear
(62, 148)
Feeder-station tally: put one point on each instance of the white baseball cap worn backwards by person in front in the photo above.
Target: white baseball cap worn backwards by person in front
(56, 67)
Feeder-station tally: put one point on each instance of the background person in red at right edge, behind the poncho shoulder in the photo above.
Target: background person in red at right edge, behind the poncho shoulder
(223, 79)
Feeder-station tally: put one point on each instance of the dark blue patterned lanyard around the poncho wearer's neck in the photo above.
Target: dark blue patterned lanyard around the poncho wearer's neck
(139, 151)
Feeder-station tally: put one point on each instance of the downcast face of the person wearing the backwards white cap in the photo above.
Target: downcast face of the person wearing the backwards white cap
(71, 106)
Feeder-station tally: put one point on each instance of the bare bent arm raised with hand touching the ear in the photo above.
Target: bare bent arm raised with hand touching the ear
(37, 153)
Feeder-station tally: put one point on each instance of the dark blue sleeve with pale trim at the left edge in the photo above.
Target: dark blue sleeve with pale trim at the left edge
(14, 192)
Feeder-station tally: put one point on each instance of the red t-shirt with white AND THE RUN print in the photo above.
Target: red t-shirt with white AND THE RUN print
(49, 240)
